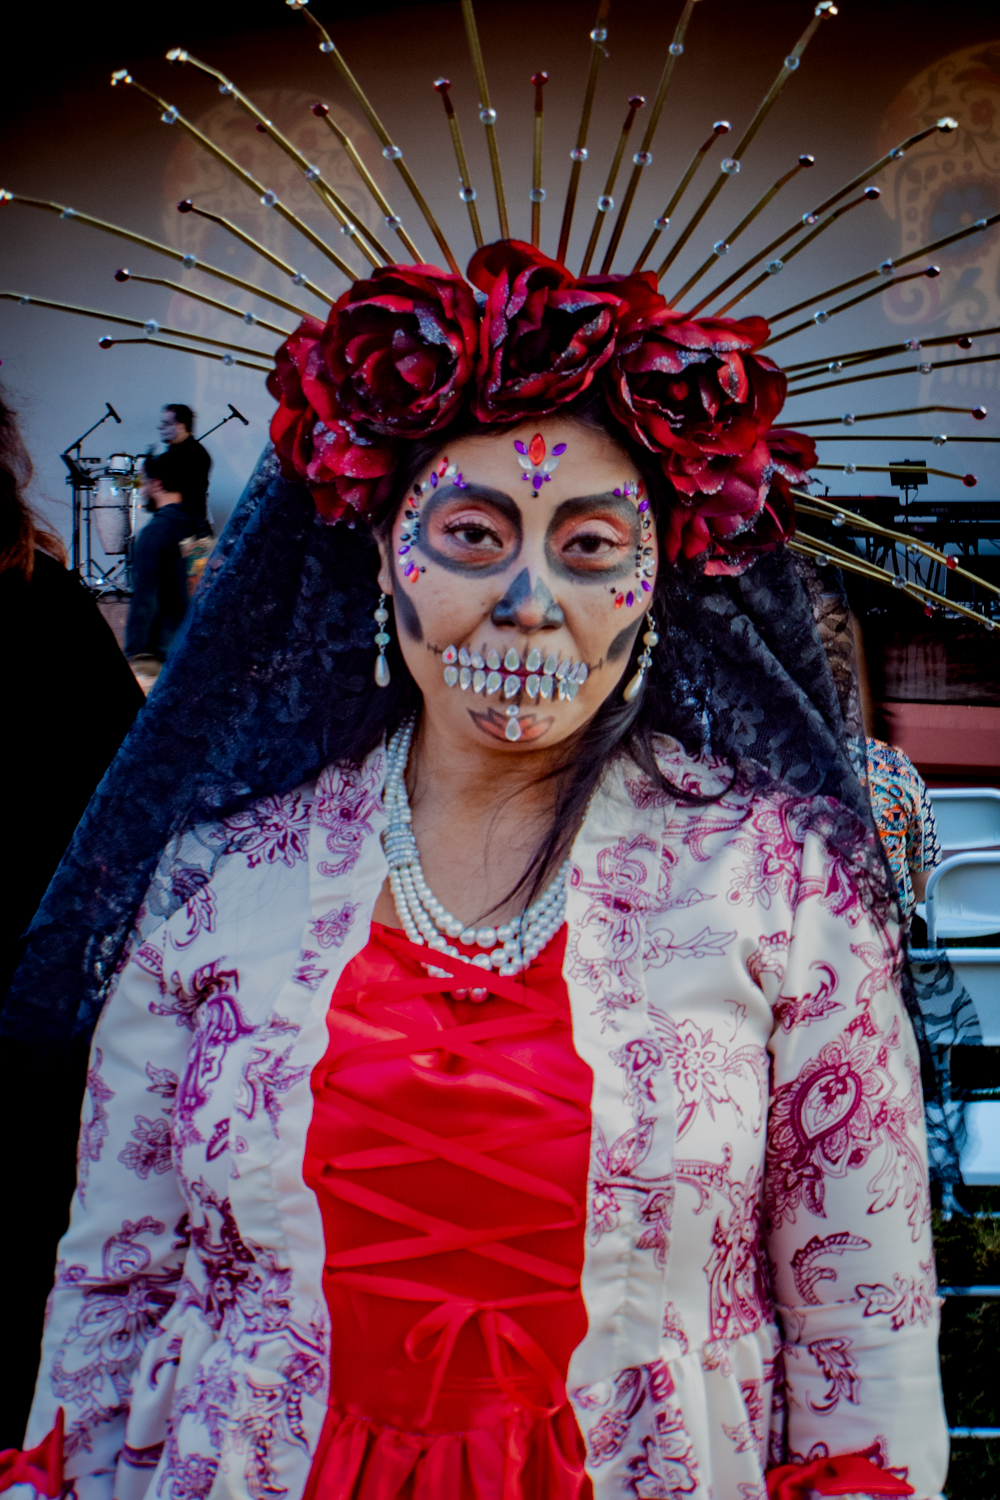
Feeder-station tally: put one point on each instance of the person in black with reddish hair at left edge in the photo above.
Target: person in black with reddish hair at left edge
(68, 703)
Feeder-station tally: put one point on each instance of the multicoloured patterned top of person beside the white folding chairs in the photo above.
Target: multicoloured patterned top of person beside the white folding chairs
(905, 820)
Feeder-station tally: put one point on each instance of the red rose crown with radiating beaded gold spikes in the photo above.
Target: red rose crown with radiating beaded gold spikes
(410, 347)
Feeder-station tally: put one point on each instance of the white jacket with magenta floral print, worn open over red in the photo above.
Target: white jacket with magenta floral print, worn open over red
(759, 1265)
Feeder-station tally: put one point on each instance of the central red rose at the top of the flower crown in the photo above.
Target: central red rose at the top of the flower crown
(543, 337)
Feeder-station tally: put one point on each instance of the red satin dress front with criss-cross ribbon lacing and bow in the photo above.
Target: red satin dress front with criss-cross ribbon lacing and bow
(449, 1153)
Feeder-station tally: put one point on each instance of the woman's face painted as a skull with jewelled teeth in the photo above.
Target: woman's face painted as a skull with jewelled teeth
(521, 569)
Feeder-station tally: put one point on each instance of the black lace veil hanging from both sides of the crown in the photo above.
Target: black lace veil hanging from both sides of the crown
(275, 668)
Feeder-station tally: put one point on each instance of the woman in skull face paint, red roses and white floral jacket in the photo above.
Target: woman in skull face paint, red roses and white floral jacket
(467, 1118)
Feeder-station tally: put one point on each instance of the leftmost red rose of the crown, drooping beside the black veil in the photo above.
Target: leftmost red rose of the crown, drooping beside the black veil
(346, 470)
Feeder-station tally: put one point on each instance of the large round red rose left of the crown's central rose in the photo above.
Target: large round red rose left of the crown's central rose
(398, 350)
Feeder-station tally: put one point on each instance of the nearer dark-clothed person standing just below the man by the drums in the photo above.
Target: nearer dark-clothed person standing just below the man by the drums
(160, 572)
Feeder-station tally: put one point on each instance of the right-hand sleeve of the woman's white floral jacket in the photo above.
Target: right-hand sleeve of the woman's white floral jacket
(848, 1205)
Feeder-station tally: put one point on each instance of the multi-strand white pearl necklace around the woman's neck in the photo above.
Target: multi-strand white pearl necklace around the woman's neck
(425, 920)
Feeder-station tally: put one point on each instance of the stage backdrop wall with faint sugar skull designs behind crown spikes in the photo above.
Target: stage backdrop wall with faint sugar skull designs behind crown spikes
(872, 76)
